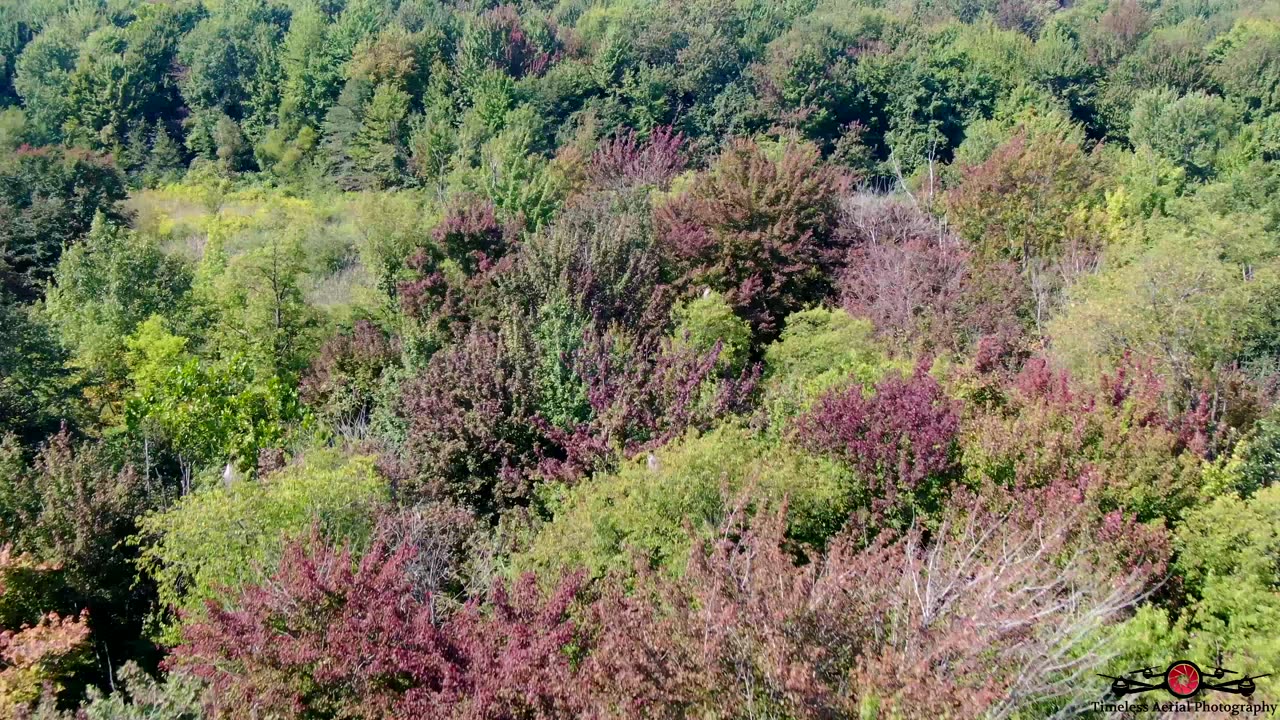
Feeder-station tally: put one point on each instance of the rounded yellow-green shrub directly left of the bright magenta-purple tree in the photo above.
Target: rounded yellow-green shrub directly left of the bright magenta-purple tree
(656, 504)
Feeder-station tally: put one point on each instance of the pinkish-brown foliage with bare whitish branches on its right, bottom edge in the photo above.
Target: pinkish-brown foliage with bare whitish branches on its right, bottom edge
(996, 610)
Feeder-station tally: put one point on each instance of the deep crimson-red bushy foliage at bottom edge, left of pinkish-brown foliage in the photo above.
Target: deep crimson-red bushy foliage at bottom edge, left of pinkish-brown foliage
(333, 639)
